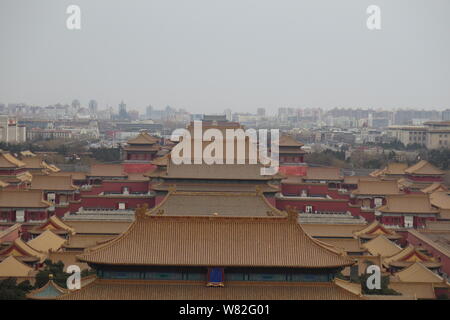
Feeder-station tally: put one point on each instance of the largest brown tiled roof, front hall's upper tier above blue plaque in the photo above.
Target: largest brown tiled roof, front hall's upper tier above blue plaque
(216, 241)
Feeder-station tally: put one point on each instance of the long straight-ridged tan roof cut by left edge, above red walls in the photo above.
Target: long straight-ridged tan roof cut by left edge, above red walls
(22, 199)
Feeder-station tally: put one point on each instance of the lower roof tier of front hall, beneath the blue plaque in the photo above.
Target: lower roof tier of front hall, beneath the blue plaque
(102, 289)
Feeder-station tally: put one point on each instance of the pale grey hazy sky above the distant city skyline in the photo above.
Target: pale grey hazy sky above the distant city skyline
(208, 55)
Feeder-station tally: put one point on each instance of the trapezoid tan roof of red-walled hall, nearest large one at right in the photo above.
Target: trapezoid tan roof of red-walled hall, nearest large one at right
(408, 203)
